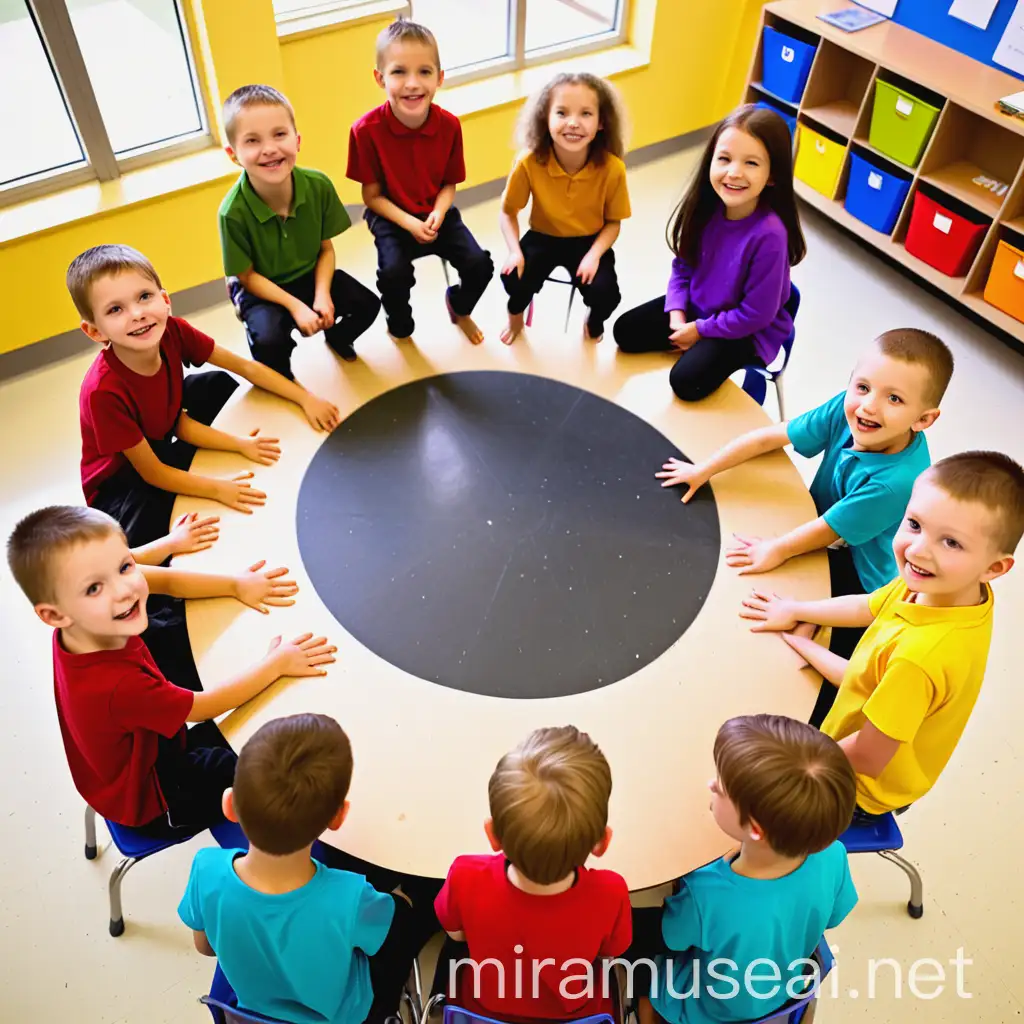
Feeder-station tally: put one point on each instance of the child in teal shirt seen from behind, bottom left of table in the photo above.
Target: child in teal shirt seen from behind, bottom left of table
(296, 941)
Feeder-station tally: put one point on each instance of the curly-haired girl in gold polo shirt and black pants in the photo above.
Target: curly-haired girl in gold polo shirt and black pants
(574, 169)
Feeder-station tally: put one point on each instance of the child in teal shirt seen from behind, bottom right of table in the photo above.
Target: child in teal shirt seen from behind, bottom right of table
(786, 793)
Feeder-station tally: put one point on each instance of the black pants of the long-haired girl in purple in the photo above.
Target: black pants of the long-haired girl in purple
(700, 371)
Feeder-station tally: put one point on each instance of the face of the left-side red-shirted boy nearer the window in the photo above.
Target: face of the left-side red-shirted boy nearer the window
(130, 312)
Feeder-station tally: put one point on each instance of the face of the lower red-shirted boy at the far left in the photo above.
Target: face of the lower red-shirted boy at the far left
(99, 593)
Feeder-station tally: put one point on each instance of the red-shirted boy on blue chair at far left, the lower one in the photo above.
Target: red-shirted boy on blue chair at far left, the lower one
(123, 723)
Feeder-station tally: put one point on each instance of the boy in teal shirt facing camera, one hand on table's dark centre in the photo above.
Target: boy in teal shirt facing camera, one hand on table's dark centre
(874, 447)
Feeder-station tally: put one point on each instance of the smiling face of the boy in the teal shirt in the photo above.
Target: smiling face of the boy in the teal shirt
(887, 402)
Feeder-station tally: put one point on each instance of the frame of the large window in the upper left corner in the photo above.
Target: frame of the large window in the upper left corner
(100, 164)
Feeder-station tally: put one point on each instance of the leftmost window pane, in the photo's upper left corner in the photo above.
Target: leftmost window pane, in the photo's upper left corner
(37, 123)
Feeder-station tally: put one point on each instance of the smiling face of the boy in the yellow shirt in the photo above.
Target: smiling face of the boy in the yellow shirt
(945, 548)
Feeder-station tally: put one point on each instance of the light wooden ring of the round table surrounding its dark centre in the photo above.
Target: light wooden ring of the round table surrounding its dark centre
(424, 752)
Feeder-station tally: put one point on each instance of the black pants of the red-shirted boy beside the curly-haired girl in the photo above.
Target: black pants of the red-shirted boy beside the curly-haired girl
(396, 251)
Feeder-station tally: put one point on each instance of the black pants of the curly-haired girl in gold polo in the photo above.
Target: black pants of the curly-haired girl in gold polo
(543, 253)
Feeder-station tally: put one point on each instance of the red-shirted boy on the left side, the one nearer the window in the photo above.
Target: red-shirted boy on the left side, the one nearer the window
(143, 419)
